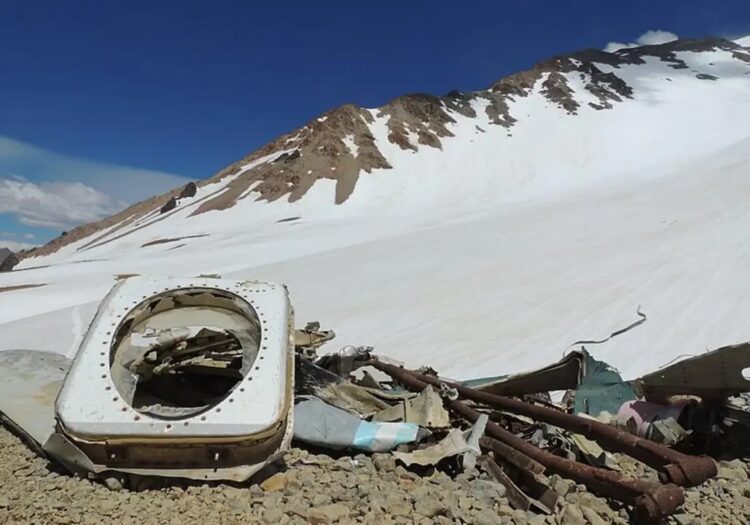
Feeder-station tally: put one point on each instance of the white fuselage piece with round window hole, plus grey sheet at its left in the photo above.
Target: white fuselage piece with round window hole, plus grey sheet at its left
(175, 377)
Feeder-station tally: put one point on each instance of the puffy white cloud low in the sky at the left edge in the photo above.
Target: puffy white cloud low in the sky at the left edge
(59, 205)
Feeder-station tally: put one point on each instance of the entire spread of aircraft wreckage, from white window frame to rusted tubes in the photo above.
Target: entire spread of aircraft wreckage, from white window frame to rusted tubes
(207, 379)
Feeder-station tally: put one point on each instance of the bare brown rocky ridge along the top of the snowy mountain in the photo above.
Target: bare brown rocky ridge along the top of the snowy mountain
(340, 145)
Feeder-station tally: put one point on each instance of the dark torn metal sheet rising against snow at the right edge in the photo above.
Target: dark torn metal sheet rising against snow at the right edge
(712, 376)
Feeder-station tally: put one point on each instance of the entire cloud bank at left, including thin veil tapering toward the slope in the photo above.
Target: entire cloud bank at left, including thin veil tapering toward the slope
(43, 188)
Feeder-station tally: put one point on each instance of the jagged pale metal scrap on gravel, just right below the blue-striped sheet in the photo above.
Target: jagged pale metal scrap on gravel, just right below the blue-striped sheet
(456, 443)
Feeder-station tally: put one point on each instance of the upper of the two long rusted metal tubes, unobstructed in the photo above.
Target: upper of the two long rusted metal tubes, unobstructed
(673, 466)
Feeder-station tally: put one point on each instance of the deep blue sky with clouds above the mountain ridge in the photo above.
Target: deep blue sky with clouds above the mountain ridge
(105, 102)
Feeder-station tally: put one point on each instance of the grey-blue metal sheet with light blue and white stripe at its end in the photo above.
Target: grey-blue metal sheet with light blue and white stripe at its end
(324, 425)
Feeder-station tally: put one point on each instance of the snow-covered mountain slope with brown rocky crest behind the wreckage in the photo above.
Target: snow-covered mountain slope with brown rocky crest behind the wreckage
(480, 232)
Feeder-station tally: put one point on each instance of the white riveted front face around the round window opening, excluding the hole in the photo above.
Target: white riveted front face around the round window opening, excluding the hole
(89, 404)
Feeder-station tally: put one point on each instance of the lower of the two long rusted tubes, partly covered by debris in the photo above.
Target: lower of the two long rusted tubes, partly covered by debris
(650, 501)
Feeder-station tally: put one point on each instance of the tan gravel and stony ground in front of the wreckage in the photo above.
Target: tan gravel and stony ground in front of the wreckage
(319, 489)
